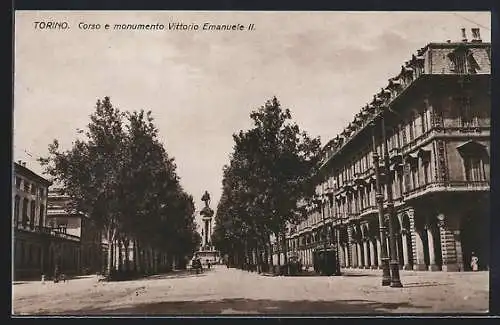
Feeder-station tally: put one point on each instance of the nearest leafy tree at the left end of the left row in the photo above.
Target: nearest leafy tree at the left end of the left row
(91, 170)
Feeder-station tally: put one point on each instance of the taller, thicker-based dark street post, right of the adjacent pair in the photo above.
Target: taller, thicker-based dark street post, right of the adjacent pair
(394, 265)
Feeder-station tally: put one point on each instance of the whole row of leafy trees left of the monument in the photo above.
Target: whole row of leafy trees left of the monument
(120, 175)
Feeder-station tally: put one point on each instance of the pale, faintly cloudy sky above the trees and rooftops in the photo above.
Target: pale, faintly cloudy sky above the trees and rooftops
(202, 85)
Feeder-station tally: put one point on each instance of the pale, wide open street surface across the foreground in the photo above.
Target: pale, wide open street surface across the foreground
(232, 291)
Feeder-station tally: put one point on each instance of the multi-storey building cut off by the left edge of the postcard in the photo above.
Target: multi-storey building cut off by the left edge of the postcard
(37, 248)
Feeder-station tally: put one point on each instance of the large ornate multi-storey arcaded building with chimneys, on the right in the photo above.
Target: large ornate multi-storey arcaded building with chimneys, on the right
(436, 113)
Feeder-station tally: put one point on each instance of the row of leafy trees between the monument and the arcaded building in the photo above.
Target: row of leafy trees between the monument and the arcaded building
(271, 171)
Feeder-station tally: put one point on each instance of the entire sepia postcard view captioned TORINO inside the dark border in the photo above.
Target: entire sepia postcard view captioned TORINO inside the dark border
(251, 163)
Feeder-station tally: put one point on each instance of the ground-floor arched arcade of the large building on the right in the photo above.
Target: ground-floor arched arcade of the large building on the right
(436, 233)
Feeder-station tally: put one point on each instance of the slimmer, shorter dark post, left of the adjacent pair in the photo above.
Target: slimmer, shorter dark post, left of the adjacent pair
(386, 276)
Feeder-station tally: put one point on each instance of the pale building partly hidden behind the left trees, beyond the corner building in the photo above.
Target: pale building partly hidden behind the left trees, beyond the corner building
(64, 218)
